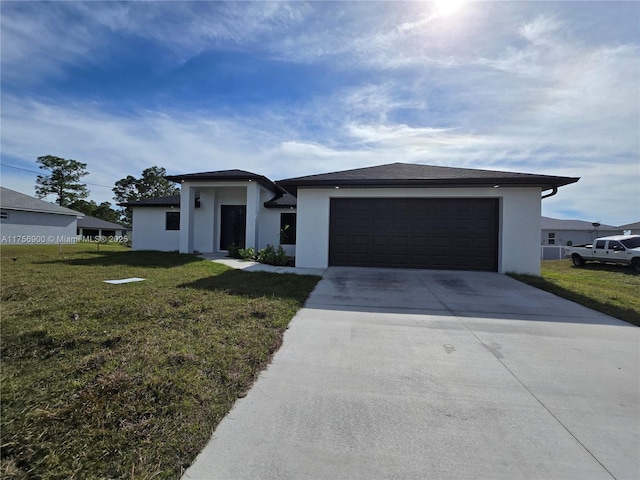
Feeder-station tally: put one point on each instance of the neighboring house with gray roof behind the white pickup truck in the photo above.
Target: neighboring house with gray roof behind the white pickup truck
(573, 232)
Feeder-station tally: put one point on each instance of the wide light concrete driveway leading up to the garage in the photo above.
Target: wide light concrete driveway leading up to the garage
(390, 374)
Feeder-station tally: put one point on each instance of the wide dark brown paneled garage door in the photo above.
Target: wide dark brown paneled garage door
(444, 233)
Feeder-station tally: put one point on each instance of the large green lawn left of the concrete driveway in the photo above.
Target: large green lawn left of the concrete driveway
(127, 381)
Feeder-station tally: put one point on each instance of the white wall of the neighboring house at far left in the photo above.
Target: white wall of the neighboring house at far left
(43, 228)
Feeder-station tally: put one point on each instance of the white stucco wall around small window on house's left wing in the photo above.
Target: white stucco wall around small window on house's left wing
(149, 232)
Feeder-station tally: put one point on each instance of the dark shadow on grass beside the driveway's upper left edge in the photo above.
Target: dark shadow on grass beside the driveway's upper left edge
(258, 284)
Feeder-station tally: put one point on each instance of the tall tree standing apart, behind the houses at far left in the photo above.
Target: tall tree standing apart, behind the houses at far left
(63, 179)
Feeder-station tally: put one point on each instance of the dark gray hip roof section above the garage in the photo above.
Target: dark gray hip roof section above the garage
(407, 175)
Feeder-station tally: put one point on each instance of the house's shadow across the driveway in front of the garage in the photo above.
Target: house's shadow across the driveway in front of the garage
(447, 293)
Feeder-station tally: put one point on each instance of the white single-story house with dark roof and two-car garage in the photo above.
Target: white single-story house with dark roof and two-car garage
(397, 215)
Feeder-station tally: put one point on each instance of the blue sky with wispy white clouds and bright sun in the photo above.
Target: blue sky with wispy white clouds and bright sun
(290, 89)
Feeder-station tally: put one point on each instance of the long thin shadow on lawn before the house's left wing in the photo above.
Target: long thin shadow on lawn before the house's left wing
(139, 258)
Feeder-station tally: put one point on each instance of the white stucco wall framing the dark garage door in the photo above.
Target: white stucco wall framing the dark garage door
(519, 250)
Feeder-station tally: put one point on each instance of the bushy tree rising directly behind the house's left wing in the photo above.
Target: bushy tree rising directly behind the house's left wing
(151, 184)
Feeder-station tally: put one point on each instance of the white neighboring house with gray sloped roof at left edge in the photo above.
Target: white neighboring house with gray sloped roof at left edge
(28, 220)
